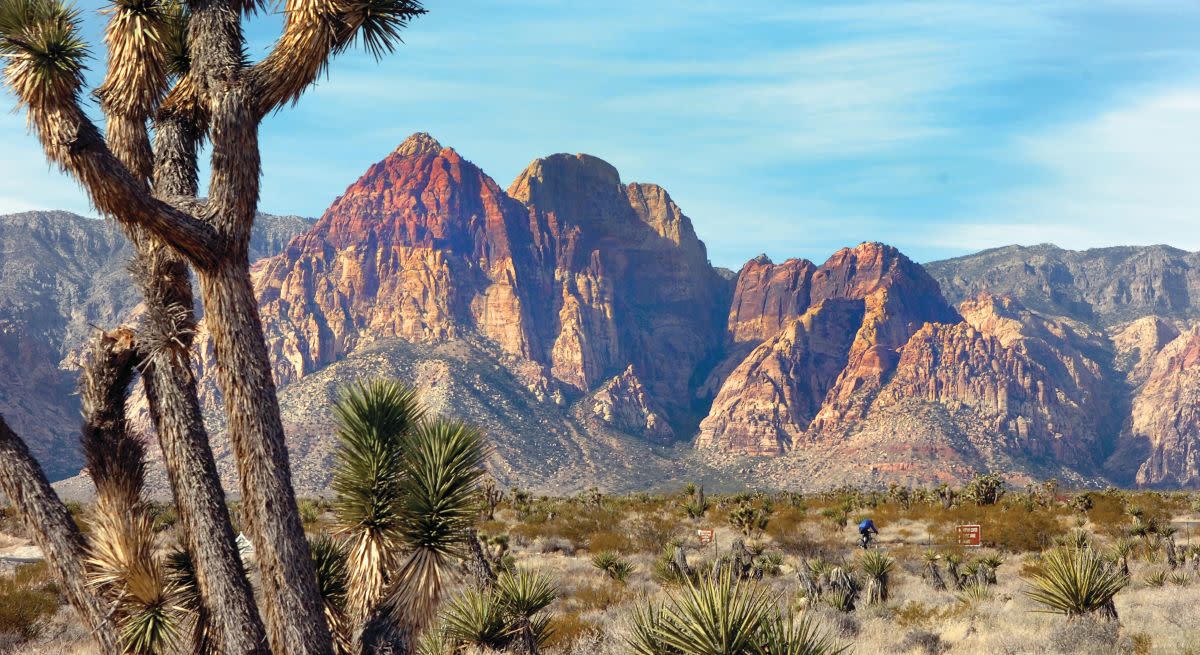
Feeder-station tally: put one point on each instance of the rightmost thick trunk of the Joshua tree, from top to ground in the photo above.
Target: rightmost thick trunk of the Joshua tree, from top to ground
(296, 621)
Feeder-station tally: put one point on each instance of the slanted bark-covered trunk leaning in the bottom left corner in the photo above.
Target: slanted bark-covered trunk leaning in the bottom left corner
(56, 534)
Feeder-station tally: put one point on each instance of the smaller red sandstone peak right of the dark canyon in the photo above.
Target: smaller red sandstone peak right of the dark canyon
(819, 374)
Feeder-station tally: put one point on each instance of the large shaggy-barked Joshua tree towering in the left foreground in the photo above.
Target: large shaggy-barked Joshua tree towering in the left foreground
(191, 83)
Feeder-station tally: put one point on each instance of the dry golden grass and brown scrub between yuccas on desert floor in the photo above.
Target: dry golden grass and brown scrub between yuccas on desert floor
(560, 536)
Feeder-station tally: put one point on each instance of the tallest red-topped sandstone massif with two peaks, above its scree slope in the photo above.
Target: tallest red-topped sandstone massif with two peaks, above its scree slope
(569, 271)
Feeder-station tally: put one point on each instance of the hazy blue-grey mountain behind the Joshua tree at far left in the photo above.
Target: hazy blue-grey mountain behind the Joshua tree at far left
(61, 275)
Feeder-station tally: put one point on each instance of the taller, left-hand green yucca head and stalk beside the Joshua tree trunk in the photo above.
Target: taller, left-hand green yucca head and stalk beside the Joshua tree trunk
(373, 423)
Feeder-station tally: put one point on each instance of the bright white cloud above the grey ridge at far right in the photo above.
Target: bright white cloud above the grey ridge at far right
(1125, 177)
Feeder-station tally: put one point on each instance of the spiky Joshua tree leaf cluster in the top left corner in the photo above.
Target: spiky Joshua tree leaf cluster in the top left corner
(45, 52)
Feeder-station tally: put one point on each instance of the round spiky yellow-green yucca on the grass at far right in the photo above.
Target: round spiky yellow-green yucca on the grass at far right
(1077, 582)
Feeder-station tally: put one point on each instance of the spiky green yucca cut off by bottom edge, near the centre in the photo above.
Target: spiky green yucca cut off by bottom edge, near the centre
(716, 617)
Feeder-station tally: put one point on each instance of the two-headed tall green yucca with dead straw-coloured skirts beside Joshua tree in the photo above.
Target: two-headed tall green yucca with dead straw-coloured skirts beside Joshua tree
(407, 496)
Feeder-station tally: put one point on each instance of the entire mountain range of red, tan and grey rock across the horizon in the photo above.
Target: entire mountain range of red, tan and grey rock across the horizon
(578, 320)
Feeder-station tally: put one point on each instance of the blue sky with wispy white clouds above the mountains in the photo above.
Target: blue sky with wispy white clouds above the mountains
(788, 128)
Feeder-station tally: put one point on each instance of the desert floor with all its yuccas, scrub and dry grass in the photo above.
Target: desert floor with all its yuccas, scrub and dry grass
(1058, 572)
